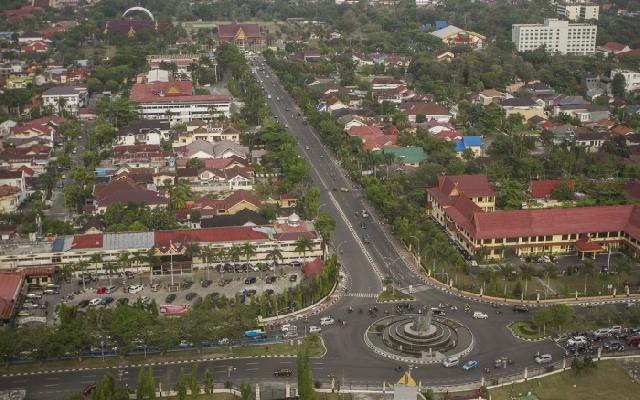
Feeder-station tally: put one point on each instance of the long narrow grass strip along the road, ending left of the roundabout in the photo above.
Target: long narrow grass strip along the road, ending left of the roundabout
(316, 349)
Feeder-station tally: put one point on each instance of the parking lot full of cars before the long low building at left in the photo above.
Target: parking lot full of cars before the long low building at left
(187, 288)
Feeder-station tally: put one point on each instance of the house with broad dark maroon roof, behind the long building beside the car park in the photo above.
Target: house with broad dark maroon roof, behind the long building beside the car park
(125, 191)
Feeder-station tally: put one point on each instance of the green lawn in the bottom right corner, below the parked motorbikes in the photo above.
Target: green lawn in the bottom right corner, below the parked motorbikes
(607, 381)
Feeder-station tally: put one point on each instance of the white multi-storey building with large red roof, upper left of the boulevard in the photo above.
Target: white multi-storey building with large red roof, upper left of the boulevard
(174, 101)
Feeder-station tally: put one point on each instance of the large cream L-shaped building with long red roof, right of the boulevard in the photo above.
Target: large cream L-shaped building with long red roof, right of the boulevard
(532, 231)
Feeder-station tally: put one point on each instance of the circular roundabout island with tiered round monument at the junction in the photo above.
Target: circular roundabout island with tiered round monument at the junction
(419, 338)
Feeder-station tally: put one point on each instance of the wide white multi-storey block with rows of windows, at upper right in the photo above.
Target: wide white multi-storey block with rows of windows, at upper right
(557, 36)
